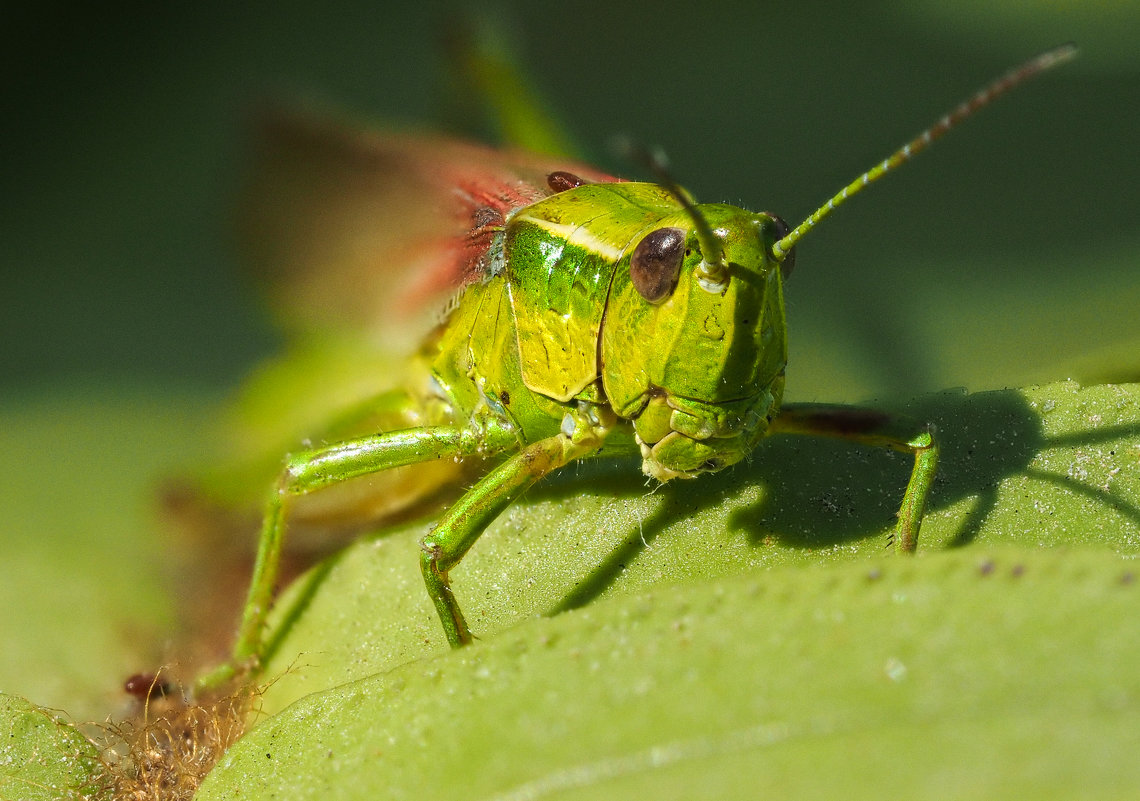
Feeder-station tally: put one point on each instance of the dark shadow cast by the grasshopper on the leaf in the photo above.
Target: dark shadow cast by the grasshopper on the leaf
(820, 494)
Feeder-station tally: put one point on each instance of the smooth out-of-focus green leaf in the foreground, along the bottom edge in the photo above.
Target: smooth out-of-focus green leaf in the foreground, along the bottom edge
(963, 675)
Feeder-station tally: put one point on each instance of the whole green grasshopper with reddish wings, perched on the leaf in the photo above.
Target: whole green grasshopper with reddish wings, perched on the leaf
(595, 317)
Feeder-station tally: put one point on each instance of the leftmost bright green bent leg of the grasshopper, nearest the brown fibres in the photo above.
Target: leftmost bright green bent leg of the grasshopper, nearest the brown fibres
(314, 470)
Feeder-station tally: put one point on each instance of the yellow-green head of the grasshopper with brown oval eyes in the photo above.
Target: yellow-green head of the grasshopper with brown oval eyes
(694, 345)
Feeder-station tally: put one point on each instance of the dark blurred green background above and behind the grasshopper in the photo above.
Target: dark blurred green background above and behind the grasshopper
(1008, 256)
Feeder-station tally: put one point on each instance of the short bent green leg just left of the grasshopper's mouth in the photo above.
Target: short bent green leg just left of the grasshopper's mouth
(446, 546)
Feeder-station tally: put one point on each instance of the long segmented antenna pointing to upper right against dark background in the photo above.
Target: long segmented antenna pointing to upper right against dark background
(1011, 80)
